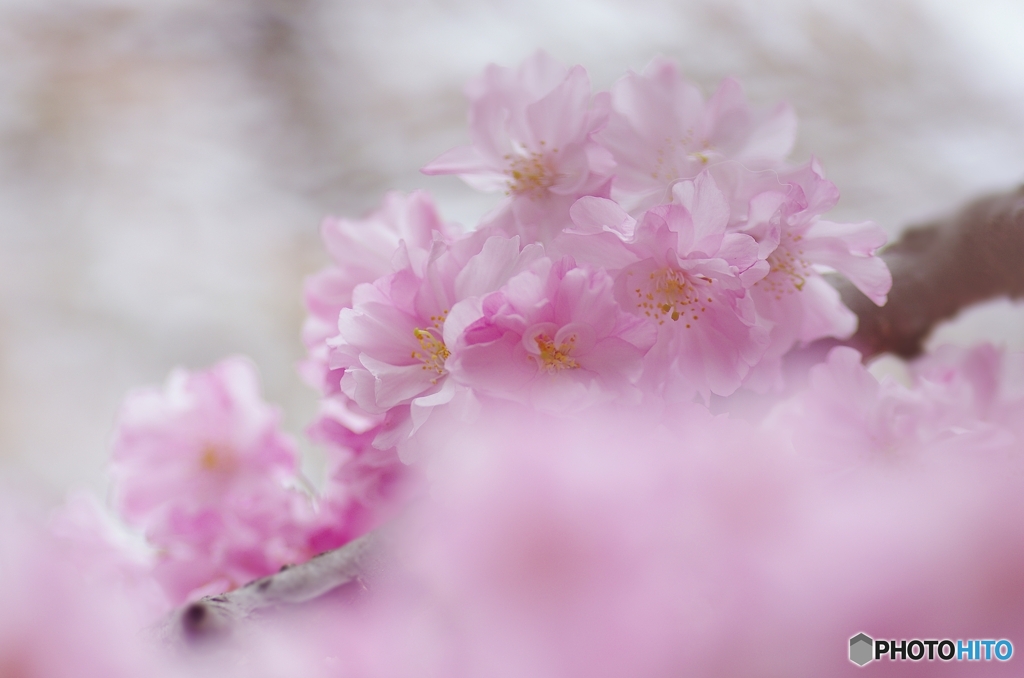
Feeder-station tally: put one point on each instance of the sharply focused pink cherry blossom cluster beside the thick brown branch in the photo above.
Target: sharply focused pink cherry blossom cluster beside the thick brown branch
(653, 247)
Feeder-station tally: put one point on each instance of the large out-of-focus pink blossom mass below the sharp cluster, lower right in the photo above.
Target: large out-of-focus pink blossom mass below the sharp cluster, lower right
(610, 545)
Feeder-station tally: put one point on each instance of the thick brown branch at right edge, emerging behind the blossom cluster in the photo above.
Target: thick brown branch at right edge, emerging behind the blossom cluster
(941, 269)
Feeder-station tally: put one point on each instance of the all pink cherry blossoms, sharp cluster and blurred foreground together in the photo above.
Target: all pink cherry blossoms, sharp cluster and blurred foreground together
(525, 407)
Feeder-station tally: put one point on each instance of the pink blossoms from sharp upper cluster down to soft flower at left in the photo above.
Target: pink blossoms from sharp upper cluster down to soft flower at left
(653, 248)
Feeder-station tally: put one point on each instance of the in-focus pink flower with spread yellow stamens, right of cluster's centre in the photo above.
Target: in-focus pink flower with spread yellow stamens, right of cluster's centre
(690, 278)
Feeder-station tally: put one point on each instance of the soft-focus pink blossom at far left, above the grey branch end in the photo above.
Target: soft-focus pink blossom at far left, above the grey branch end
(202, 469)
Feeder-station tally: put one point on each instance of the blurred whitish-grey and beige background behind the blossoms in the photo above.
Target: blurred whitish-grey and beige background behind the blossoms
(165, 164)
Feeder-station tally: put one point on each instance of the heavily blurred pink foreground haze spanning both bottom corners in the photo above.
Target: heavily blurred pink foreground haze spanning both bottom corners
(620, 543)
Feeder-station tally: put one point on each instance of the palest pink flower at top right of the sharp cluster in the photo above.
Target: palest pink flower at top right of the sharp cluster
(661, 131)
